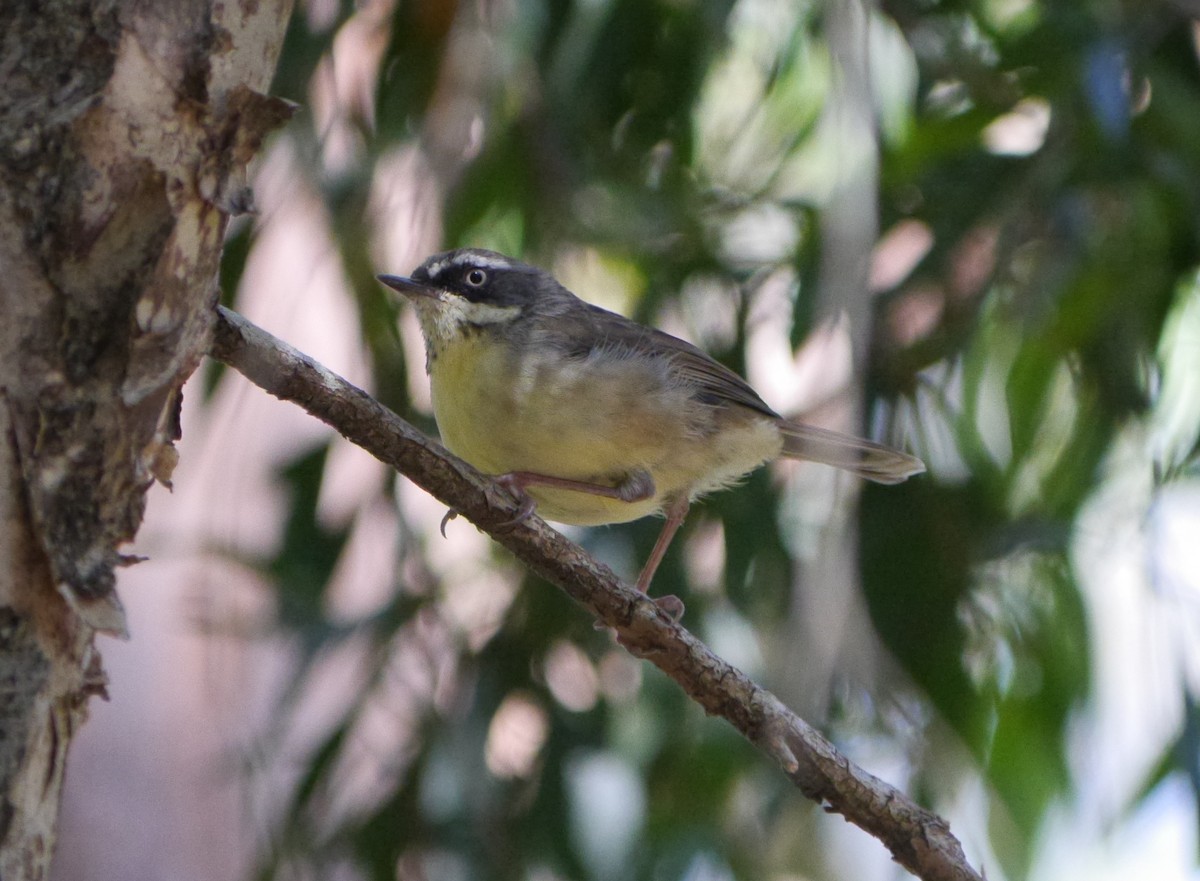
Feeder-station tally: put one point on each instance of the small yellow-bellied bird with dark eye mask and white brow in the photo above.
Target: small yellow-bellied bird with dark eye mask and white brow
(590, 417)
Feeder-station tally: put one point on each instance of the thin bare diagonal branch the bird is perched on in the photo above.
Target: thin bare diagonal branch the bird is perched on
(919, 840)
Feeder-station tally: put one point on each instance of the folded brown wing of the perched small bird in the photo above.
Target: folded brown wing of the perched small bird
(715, 383)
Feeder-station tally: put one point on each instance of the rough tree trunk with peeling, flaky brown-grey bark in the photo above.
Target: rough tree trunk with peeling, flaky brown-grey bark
(125, 130)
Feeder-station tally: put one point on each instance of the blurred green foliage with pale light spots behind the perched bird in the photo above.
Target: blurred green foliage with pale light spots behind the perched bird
(1035, 340)
